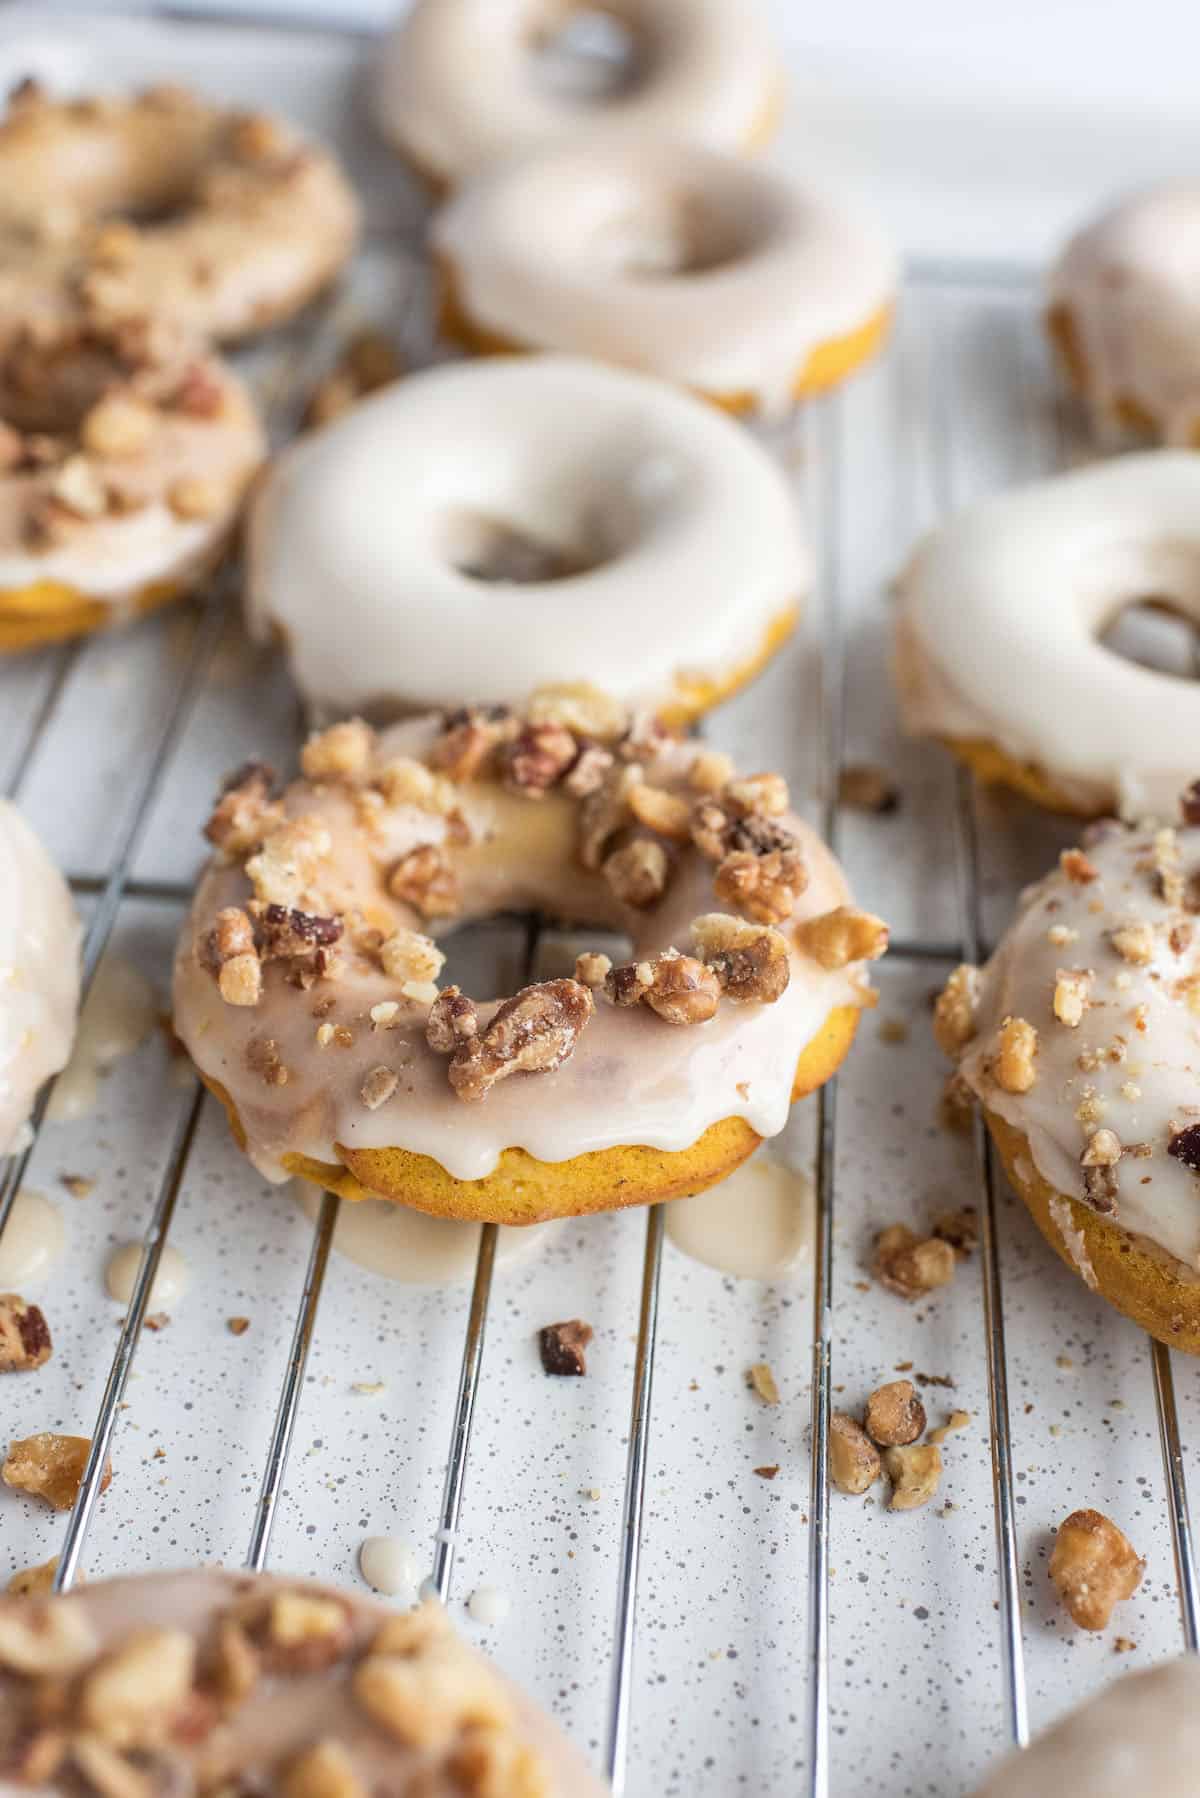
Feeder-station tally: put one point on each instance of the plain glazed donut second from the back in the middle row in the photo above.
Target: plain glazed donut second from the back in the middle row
(686, 263)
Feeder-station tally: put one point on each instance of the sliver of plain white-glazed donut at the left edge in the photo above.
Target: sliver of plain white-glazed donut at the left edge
(39, 972)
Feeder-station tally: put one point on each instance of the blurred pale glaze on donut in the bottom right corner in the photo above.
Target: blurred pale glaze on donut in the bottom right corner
(1140, 1736)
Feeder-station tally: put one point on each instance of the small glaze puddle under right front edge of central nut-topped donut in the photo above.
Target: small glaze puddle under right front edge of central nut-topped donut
(755, 1225)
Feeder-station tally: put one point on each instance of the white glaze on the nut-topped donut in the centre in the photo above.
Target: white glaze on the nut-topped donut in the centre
(632, 1078)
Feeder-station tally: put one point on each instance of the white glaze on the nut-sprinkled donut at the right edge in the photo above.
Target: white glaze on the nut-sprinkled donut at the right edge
(1133, 1064)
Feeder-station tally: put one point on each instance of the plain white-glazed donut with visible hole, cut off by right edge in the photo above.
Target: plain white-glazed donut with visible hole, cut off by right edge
(998, 634)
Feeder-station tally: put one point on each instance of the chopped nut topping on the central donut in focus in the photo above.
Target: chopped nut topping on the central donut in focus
(411, 821)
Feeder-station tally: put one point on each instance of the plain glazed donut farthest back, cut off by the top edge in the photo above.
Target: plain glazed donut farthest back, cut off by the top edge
(458, 82)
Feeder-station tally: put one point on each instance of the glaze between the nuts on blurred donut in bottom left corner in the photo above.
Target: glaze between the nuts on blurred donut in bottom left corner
(287, 1713)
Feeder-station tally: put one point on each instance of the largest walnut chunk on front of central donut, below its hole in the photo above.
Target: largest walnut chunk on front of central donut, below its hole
(533, 1033)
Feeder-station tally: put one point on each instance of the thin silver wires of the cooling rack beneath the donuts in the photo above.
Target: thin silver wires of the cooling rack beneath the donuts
(818, 445)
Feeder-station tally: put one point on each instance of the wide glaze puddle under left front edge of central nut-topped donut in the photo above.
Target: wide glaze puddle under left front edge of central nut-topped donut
(411, 1247)
